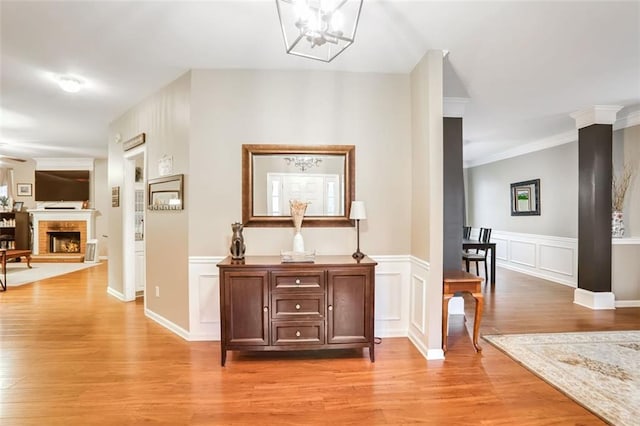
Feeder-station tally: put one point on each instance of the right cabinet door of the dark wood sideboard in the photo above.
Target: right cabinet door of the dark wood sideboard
(350, 306)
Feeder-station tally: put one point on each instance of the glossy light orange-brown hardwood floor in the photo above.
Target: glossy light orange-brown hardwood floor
(72, 355)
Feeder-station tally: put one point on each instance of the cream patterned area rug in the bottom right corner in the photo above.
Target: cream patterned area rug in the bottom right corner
(599, 370)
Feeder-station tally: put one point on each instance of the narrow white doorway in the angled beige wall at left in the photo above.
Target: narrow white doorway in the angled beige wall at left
(133, 210)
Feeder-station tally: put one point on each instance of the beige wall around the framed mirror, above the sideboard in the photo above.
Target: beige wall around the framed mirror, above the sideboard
(231, 108)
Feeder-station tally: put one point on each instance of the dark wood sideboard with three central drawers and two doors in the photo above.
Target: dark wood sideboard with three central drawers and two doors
(266, 305)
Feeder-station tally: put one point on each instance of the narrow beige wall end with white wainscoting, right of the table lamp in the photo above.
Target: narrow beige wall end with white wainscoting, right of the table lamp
(427, 197)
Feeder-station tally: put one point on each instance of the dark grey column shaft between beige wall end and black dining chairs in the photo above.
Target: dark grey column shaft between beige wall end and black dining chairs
(453, 193)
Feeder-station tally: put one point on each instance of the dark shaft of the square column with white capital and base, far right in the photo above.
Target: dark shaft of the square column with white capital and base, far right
(594, 207)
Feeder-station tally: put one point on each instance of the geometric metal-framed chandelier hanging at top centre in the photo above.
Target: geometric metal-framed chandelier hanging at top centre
(318, 29)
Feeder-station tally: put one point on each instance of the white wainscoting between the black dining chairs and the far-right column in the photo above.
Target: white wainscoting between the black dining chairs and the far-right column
(551, 258)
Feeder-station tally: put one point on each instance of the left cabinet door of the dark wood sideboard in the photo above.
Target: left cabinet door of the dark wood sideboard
(246, 308)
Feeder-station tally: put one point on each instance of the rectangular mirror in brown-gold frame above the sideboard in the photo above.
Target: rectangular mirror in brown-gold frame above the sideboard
(272, 175)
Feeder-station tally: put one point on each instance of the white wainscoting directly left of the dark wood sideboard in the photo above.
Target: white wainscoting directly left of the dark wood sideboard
(204, 298)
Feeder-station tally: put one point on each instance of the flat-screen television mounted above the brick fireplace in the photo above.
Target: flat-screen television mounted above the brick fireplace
(61, 185)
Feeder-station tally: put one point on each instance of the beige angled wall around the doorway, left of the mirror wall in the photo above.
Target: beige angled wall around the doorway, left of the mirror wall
(164, 118)
